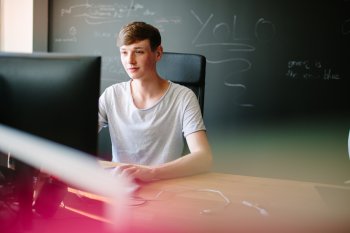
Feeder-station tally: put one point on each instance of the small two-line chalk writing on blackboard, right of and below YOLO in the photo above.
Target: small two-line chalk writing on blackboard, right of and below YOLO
(310, 70)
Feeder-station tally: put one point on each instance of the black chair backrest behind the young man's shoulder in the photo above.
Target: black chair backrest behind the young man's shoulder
(186, 69)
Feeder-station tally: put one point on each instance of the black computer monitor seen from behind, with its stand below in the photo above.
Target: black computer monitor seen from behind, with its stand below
(53, 96)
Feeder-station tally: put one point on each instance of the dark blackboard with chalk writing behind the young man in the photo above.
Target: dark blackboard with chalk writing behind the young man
(266, 59)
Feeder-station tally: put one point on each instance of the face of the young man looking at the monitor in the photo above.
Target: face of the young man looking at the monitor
(139, 60)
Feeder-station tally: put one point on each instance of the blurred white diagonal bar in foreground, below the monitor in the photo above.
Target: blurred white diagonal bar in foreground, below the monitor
(71, 166)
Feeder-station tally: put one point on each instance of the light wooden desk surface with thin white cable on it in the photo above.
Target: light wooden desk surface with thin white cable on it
(215, 202)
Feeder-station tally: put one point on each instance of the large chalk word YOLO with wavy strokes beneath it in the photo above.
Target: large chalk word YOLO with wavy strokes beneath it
(263, 31)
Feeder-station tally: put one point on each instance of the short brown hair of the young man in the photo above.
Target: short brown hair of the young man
(137, 31)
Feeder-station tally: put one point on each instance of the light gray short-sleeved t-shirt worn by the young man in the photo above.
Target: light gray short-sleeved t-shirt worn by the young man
(149, 136)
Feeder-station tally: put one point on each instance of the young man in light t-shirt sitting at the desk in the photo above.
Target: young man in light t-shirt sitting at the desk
(148, 116)
